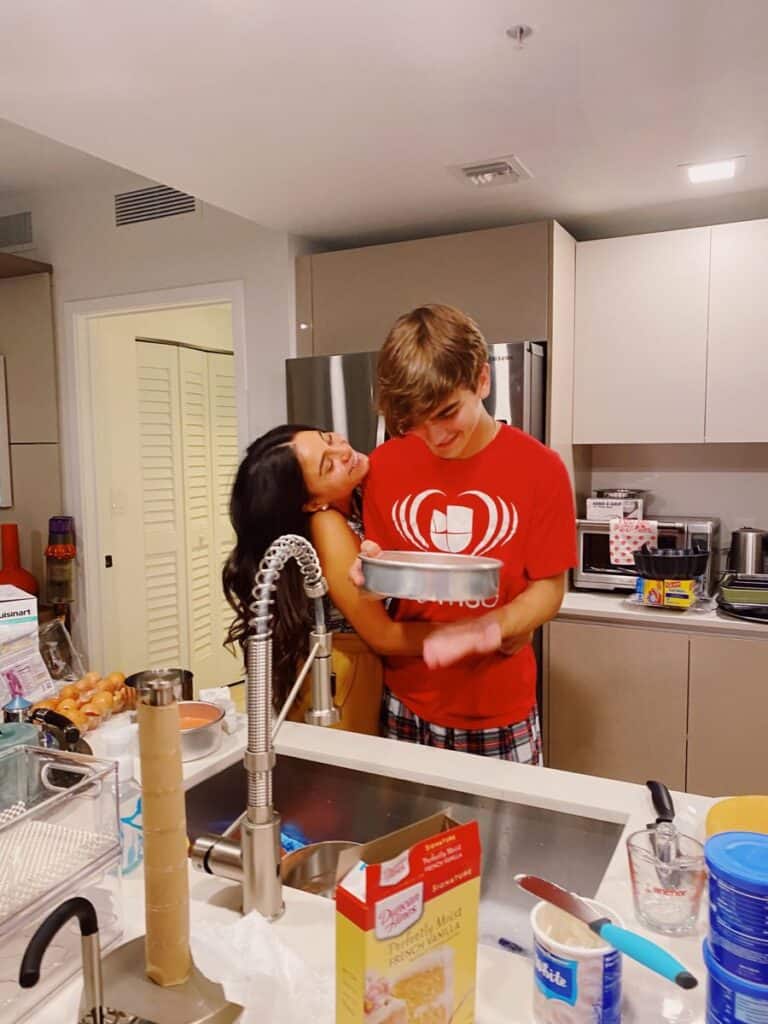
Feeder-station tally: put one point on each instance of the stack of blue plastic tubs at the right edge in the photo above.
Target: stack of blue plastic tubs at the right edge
(737, 952)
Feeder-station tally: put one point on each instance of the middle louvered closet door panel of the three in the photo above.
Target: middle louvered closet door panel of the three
(203, 603)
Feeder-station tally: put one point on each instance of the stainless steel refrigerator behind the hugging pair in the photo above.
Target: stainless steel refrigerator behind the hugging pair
(337, 393)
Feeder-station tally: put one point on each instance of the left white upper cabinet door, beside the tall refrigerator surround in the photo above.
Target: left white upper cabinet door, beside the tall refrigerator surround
(642, 310)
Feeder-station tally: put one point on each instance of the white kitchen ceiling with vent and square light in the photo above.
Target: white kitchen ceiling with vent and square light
(339, 121)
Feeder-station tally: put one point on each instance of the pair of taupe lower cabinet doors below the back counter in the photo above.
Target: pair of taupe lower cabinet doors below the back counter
(637, 704)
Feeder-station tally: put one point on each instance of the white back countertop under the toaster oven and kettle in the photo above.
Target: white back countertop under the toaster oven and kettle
(582, 606)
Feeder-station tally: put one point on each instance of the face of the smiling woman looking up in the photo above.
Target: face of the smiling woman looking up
(332, 470)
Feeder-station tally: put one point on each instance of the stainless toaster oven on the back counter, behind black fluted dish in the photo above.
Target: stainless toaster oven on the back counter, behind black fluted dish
(595, 571)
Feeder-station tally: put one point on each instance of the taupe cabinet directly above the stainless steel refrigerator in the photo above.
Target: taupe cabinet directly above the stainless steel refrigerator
(349, 301)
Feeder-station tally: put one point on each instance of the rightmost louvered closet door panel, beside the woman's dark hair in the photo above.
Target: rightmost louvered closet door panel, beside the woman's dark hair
(225, 455)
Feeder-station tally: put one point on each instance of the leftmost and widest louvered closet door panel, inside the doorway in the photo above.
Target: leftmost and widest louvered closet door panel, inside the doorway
(162, 506)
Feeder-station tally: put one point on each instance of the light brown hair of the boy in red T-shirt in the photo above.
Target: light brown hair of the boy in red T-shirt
(430, 353)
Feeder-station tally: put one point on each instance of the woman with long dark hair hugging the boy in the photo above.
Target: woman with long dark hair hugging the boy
(297, 480)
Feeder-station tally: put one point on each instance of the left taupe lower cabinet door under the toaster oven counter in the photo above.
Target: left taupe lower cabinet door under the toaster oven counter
(617, 702)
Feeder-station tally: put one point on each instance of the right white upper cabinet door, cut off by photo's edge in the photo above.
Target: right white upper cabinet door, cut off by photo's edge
(738, 367)
